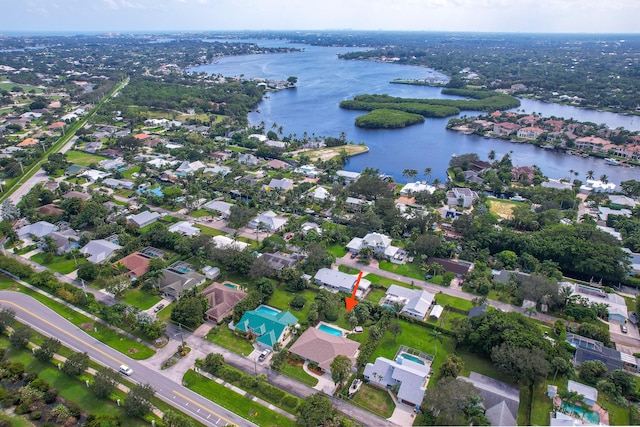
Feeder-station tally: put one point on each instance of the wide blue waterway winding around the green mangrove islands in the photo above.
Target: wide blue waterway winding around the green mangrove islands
(324, 81)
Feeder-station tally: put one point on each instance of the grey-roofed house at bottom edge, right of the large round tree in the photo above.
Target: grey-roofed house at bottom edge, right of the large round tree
(500, 399)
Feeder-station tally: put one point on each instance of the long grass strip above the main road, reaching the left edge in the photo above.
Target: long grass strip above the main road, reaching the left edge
(103, 333)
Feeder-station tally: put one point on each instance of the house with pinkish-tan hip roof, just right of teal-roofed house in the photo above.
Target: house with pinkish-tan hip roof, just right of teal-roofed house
(320, 347)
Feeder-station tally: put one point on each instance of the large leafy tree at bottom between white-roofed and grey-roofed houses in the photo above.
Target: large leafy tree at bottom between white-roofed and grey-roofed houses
(446, 402)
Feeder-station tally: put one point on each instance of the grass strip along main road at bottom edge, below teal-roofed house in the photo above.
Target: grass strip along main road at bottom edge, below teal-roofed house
(234, 402)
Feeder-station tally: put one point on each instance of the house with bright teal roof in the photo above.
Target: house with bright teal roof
(269, 328)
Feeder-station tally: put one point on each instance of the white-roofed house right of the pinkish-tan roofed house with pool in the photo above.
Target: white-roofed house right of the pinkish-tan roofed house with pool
(411, 378)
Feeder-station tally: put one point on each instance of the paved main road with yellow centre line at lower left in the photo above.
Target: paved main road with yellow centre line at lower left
(49, 323)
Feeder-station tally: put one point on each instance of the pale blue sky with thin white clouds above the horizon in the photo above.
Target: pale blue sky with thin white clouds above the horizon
(524, 16)
